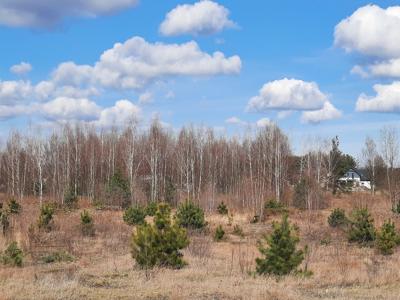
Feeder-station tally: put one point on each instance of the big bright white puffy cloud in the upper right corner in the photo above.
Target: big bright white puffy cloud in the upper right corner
(373, 32)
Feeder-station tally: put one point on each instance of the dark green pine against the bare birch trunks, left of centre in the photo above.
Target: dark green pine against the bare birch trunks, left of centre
(118, 191)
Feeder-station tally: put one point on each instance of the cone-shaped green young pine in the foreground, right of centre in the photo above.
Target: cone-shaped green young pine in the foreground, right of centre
(281, 256)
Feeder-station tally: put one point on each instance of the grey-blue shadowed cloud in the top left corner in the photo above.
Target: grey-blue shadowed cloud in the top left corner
(47, 13)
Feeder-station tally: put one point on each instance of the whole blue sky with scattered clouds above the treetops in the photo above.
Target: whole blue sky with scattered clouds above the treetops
(316, 68)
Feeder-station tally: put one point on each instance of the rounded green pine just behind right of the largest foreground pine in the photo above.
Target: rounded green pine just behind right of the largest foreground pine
(189, 215)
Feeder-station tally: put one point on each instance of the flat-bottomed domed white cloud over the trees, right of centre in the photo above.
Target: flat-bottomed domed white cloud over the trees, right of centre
(288, 94)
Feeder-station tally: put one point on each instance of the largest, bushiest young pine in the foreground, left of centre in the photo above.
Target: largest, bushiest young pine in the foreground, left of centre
(159, 244)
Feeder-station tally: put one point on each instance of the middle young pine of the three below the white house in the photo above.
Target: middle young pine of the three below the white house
(362, 229)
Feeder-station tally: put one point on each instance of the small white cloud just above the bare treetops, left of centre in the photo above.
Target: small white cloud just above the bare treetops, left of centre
(120, 114)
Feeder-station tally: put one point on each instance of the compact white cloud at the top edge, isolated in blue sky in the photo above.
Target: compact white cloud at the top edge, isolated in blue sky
(201, 18)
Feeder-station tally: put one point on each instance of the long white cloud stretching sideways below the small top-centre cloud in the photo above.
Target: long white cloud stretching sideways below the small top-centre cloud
(136, 63)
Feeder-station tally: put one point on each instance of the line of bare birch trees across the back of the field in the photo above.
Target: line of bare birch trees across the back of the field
(158, 164)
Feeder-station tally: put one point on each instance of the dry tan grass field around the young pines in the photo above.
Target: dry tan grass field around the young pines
(104, 269)
